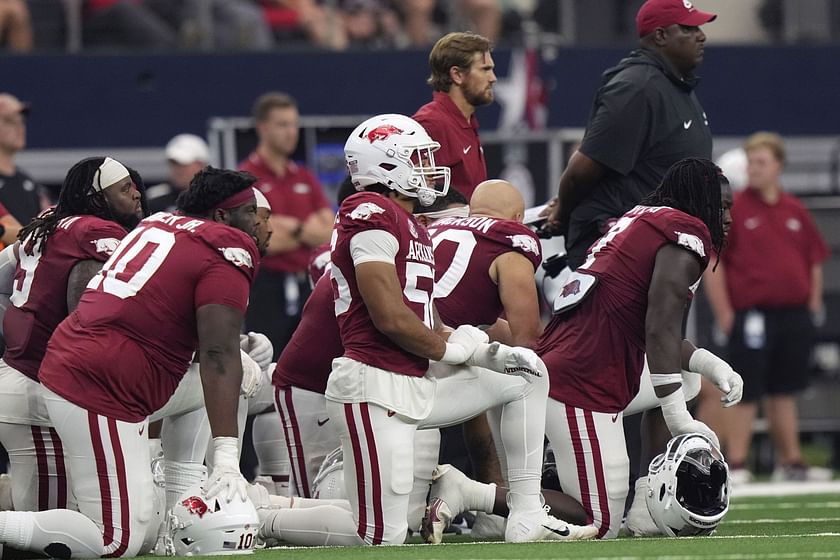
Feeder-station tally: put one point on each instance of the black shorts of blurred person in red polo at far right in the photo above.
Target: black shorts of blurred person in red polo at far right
(771, 349)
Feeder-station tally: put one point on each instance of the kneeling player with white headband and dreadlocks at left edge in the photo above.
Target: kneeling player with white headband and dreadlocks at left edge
(44, 274)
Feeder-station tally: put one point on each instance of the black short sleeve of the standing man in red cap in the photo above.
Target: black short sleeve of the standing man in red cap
(617, 132)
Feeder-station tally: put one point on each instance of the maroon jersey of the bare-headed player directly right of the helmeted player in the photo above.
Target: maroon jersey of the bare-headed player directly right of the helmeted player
(464, 250)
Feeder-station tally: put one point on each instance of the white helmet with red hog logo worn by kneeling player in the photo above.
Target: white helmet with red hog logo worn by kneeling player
(396, 151)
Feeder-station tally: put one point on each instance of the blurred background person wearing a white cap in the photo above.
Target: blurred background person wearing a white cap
(186, 154)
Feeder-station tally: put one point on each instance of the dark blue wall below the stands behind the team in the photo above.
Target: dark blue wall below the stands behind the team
(142, 100)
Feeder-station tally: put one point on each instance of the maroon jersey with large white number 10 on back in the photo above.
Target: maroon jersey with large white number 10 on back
(124, 349)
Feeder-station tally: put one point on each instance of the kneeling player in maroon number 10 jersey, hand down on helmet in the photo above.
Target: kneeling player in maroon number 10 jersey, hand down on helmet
(174, 284)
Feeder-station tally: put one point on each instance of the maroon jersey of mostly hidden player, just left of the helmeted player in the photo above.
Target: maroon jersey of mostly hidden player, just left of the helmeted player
(306, 360)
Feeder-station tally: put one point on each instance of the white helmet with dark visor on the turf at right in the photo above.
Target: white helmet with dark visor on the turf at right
(688, 487)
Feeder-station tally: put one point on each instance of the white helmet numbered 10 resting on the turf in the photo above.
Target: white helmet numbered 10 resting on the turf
(199, 525)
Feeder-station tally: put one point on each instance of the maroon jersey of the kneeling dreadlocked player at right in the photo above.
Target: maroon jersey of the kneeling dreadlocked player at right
(595, 353)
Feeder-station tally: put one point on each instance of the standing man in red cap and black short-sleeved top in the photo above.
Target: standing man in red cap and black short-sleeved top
(645, 117)
